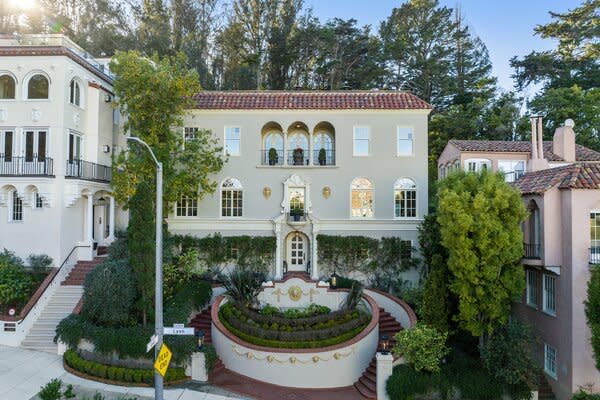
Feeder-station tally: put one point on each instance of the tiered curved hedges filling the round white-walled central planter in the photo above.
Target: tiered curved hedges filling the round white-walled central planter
(339, 327)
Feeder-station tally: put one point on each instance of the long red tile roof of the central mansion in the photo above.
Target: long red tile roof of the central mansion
(309, 100)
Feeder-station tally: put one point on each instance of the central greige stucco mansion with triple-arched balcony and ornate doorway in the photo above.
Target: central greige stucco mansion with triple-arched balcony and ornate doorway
(307, 163)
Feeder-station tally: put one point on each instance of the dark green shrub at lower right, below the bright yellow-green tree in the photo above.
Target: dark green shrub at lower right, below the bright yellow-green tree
(507, 355)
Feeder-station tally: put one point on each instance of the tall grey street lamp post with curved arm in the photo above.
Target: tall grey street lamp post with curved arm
(158, 319)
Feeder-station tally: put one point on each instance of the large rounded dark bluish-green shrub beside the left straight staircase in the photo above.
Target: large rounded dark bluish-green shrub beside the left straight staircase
(109, 294)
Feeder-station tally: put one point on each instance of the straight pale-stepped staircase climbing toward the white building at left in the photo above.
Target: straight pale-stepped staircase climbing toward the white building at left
(41, 335)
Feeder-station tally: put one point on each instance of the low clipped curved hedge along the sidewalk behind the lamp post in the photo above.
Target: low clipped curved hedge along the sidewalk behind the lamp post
(119, 374)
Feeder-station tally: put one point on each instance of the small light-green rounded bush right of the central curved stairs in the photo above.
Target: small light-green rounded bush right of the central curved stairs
(422, 347)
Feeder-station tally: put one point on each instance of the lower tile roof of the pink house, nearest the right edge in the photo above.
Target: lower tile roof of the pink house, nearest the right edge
(574, 176)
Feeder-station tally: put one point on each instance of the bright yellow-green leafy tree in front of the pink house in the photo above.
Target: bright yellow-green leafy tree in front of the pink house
(480, 217)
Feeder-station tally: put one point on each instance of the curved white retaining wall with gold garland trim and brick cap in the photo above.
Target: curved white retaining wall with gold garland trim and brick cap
(328, 367)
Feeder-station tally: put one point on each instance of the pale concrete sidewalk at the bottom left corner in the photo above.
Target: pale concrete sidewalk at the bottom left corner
(24, 372)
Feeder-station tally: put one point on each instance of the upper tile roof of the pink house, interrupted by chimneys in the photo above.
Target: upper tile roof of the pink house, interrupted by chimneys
(503, 146)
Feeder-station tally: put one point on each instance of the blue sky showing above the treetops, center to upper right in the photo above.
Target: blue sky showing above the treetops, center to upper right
(505, 26)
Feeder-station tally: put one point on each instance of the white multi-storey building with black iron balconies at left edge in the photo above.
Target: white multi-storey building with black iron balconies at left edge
(58, 131)
